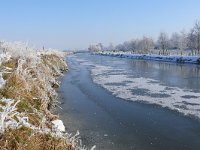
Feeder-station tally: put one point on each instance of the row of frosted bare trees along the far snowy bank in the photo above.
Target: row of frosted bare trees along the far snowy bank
(178, 40)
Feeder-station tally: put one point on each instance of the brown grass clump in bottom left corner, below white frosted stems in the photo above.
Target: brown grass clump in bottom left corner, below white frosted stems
(24, 139)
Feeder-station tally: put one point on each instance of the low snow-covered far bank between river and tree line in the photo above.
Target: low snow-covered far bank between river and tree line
(174, 59)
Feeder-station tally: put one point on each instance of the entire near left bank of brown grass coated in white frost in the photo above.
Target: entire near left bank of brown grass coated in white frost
(28, 79)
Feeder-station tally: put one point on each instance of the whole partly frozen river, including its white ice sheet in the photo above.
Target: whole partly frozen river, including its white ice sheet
(122, 104)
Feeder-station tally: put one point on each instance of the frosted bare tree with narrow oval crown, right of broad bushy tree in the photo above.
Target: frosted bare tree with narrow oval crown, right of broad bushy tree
(163, 41)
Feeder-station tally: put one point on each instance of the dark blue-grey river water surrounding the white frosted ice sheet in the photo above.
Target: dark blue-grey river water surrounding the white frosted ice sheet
(112, 123)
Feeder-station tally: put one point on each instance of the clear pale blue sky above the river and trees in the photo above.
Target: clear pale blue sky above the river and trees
(74, 24)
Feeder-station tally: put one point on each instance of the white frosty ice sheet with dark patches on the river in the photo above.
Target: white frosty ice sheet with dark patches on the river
(147, 90)
